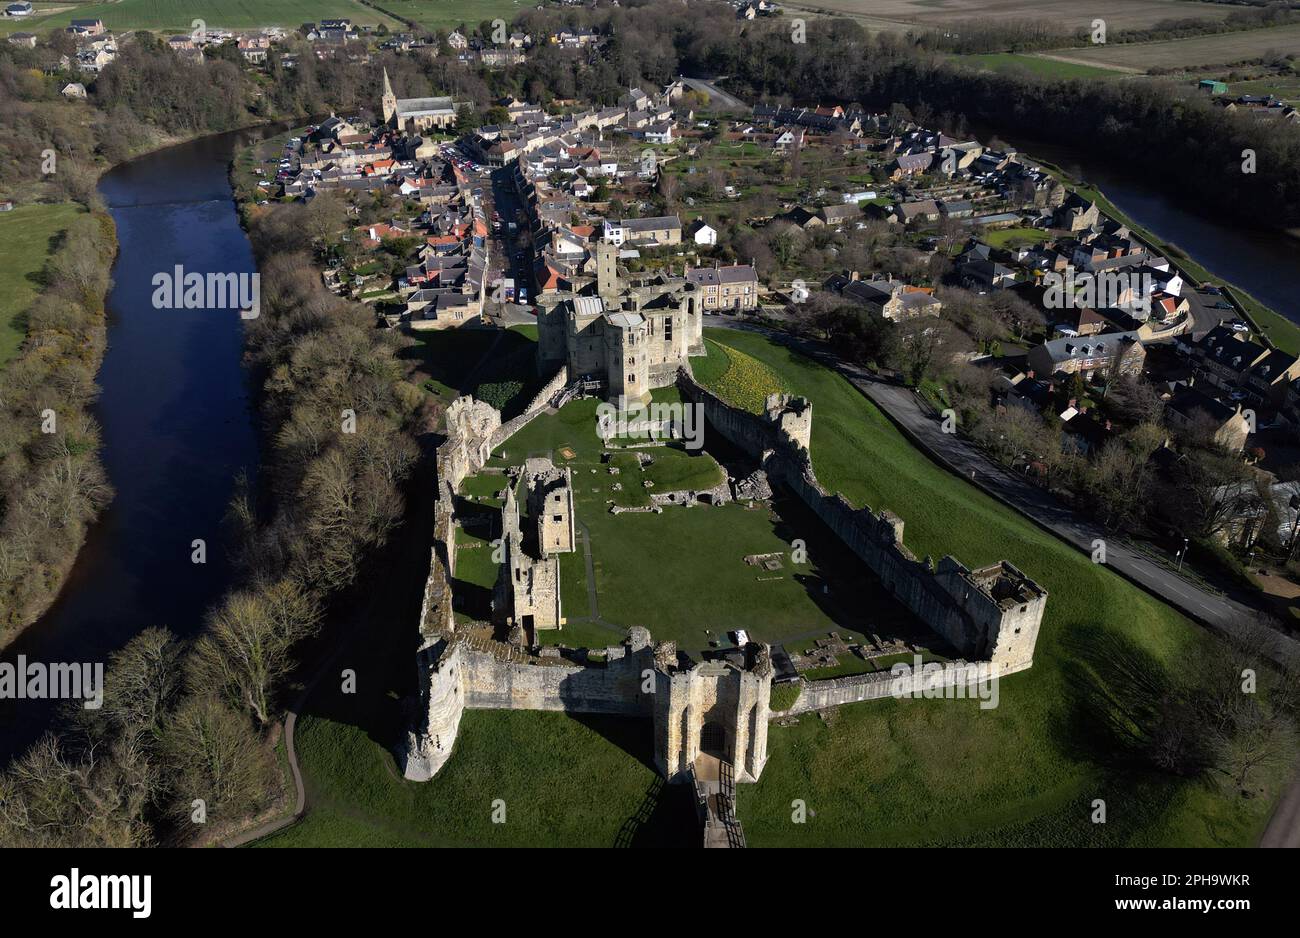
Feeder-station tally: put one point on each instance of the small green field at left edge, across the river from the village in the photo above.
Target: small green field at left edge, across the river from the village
(27, 237)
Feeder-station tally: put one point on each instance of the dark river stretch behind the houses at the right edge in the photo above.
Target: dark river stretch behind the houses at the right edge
(1264, 263)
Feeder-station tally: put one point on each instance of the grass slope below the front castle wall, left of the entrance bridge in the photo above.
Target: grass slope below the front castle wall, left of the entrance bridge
(562, 781)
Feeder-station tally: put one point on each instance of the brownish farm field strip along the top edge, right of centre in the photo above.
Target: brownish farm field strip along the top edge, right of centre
(1120, 15)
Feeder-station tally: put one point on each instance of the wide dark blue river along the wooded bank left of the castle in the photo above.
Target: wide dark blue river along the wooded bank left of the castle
(176, 418)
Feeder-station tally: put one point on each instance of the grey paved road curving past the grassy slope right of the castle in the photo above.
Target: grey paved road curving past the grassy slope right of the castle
(963, 458)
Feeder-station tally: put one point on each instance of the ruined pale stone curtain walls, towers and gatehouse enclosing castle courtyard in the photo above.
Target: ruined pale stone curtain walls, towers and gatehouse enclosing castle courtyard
(720, 707)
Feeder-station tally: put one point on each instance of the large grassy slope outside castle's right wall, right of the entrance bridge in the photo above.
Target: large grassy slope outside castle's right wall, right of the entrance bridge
(909, 772)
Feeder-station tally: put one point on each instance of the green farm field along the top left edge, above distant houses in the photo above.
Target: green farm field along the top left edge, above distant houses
(180, 15)
